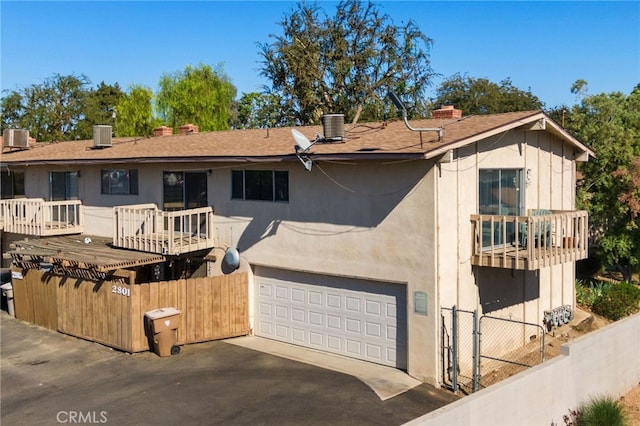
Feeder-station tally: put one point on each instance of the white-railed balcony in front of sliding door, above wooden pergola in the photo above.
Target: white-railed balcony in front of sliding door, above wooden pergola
(143, 227)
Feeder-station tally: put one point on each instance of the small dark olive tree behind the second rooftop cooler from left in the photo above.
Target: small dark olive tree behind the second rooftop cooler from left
(99, 108)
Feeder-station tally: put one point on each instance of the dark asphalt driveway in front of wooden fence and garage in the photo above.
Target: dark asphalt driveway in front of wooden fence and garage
(50, 378)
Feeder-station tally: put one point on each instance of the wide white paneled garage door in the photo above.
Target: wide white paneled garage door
(355, 318)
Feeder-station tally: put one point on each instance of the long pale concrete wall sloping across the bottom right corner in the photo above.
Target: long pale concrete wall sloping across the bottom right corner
(605, 362)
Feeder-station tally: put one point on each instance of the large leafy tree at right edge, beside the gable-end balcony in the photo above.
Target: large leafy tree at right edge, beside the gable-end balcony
(610, 125)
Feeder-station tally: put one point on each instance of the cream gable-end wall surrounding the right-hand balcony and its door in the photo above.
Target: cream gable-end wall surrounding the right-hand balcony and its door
(548, 174)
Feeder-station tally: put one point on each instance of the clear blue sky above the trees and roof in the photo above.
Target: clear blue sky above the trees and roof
(543, 46)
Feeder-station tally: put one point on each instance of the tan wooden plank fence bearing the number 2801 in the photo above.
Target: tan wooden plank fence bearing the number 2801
(112, 312)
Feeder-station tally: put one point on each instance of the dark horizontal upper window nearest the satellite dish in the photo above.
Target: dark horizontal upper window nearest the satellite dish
(263, 185)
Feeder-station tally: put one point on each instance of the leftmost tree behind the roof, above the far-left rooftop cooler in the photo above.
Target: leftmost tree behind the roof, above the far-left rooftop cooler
(50, 110)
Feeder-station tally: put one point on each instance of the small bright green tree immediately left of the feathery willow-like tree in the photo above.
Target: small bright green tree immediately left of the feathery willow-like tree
(134, 112)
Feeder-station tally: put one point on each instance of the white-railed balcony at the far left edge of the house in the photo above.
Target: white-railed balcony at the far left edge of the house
(34, 216)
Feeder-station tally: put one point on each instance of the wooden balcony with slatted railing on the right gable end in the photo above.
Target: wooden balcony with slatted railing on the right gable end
(541, 239)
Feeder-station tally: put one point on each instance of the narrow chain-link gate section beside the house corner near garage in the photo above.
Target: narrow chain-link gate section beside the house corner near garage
(459, 345)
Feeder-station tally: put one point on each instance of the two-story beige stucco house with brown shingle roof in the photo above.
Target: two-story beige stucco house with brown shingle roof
(353, 237)
